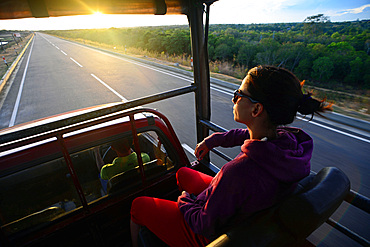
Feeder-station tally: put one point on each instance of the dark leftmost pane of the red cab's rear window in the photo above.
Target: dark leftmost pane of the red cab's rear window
(36, 195)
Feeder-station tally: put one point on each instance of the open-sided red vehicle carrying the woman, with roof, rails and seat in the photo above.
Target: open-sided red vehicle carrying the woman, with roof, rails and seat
(51, 193)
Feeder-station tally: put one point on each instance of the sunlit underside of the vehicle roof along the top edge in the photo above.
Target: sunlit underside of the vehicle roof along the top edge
(14, 9)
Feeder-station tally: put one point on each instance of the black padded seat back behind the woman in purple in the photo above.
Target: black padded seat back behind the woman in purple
(294, 219)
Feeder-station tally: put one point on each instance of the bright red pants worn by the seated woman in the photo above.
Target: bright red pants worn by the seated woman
(163, 217)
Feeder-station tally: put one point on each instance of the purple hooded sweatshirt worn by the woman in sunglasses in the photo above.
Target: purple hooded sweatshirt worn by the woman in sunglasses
(261, 175)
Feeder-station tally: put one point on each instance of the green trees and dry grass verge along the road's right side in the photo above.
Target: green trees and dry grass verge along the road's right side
(332, 57)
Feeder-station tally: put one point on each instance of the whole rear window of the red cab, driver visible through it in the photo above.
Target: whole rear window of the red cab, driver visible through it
(46, 191)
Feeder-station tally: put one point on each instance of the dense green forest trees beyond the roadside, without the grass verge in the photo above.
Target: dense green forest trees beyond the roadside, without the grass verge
(316, 49)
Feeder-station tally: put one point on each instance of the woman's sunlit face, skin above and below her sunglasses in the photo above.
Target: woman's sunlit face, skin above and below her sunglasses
(243, 106)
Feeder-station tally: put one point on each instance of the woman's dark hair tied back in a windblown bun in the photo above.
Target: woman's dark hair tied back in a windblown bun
(280, 92)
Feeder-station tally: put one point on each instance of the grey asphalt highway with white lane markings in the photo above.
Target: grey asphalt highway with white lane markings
(57, 76)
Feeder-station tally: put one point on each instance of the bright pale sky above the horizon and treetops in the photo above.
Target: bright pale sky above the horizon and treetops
(222, 12)
